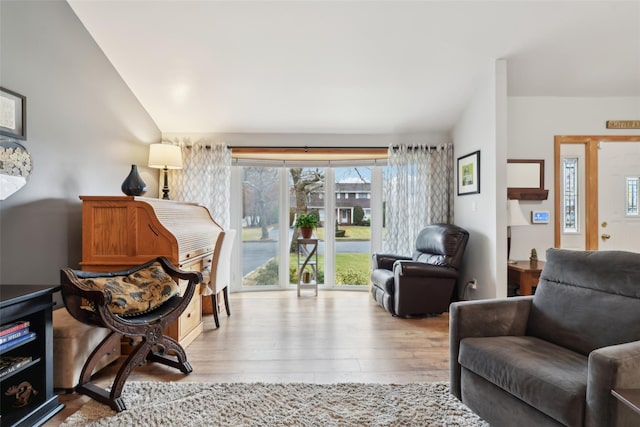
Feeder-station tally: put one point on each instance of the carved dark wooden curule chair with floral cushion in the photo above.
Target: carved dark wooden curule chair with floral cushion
(138, 303)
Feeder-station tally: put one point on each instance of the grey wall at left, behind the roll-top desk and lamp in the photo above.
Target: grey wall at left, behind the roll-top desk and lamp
(84, 130)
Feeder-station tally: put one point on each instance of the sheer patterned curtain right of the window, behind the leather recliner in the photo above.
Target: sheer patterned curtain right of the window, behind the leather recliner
(419, 184)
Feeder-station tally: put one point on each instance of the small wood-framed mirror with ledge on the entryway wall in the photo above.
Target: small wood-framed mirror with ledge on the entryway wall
(525, 179)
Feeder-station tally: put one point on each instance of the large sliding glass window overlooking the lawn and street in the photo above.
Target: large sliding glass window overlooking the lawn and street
(342, 199)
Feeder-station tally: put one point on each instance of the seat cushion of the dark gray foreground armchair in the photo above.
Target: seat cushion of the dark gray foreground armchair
(543, 375)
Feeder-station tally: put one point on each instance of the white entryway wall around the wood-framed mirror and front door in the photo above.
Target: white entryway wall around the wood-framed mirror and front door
(532, 124)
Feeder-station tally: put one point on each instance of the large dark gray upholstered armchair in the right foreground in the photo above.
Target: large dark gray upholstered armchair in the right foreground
(552, 359)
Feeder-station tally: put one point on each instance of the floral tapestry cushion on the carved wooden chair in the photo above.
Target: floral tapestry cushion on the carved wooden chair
(139, 292)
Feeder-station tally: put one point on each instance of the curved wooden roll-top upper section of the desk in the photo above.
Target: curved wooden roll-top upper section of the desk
(142, 227)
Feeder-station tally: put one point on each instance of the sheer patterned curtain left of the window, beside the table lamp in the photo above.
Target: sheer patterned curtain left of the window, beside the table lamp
(205, 178)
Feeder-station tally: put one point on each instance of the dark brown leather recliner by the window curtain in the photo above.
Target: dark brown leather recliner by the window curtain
(425, 282)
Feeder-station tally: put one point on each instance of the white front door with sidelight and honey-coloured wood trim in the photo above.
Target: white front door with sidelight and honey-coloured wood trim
(596, 199)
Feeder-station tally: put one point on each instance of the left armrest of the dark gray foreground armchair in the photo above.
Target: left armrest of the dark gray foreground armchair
(484, 318)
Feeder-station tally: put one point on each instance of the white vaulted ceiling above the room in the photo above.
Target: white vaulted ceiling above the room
(356, 66)
